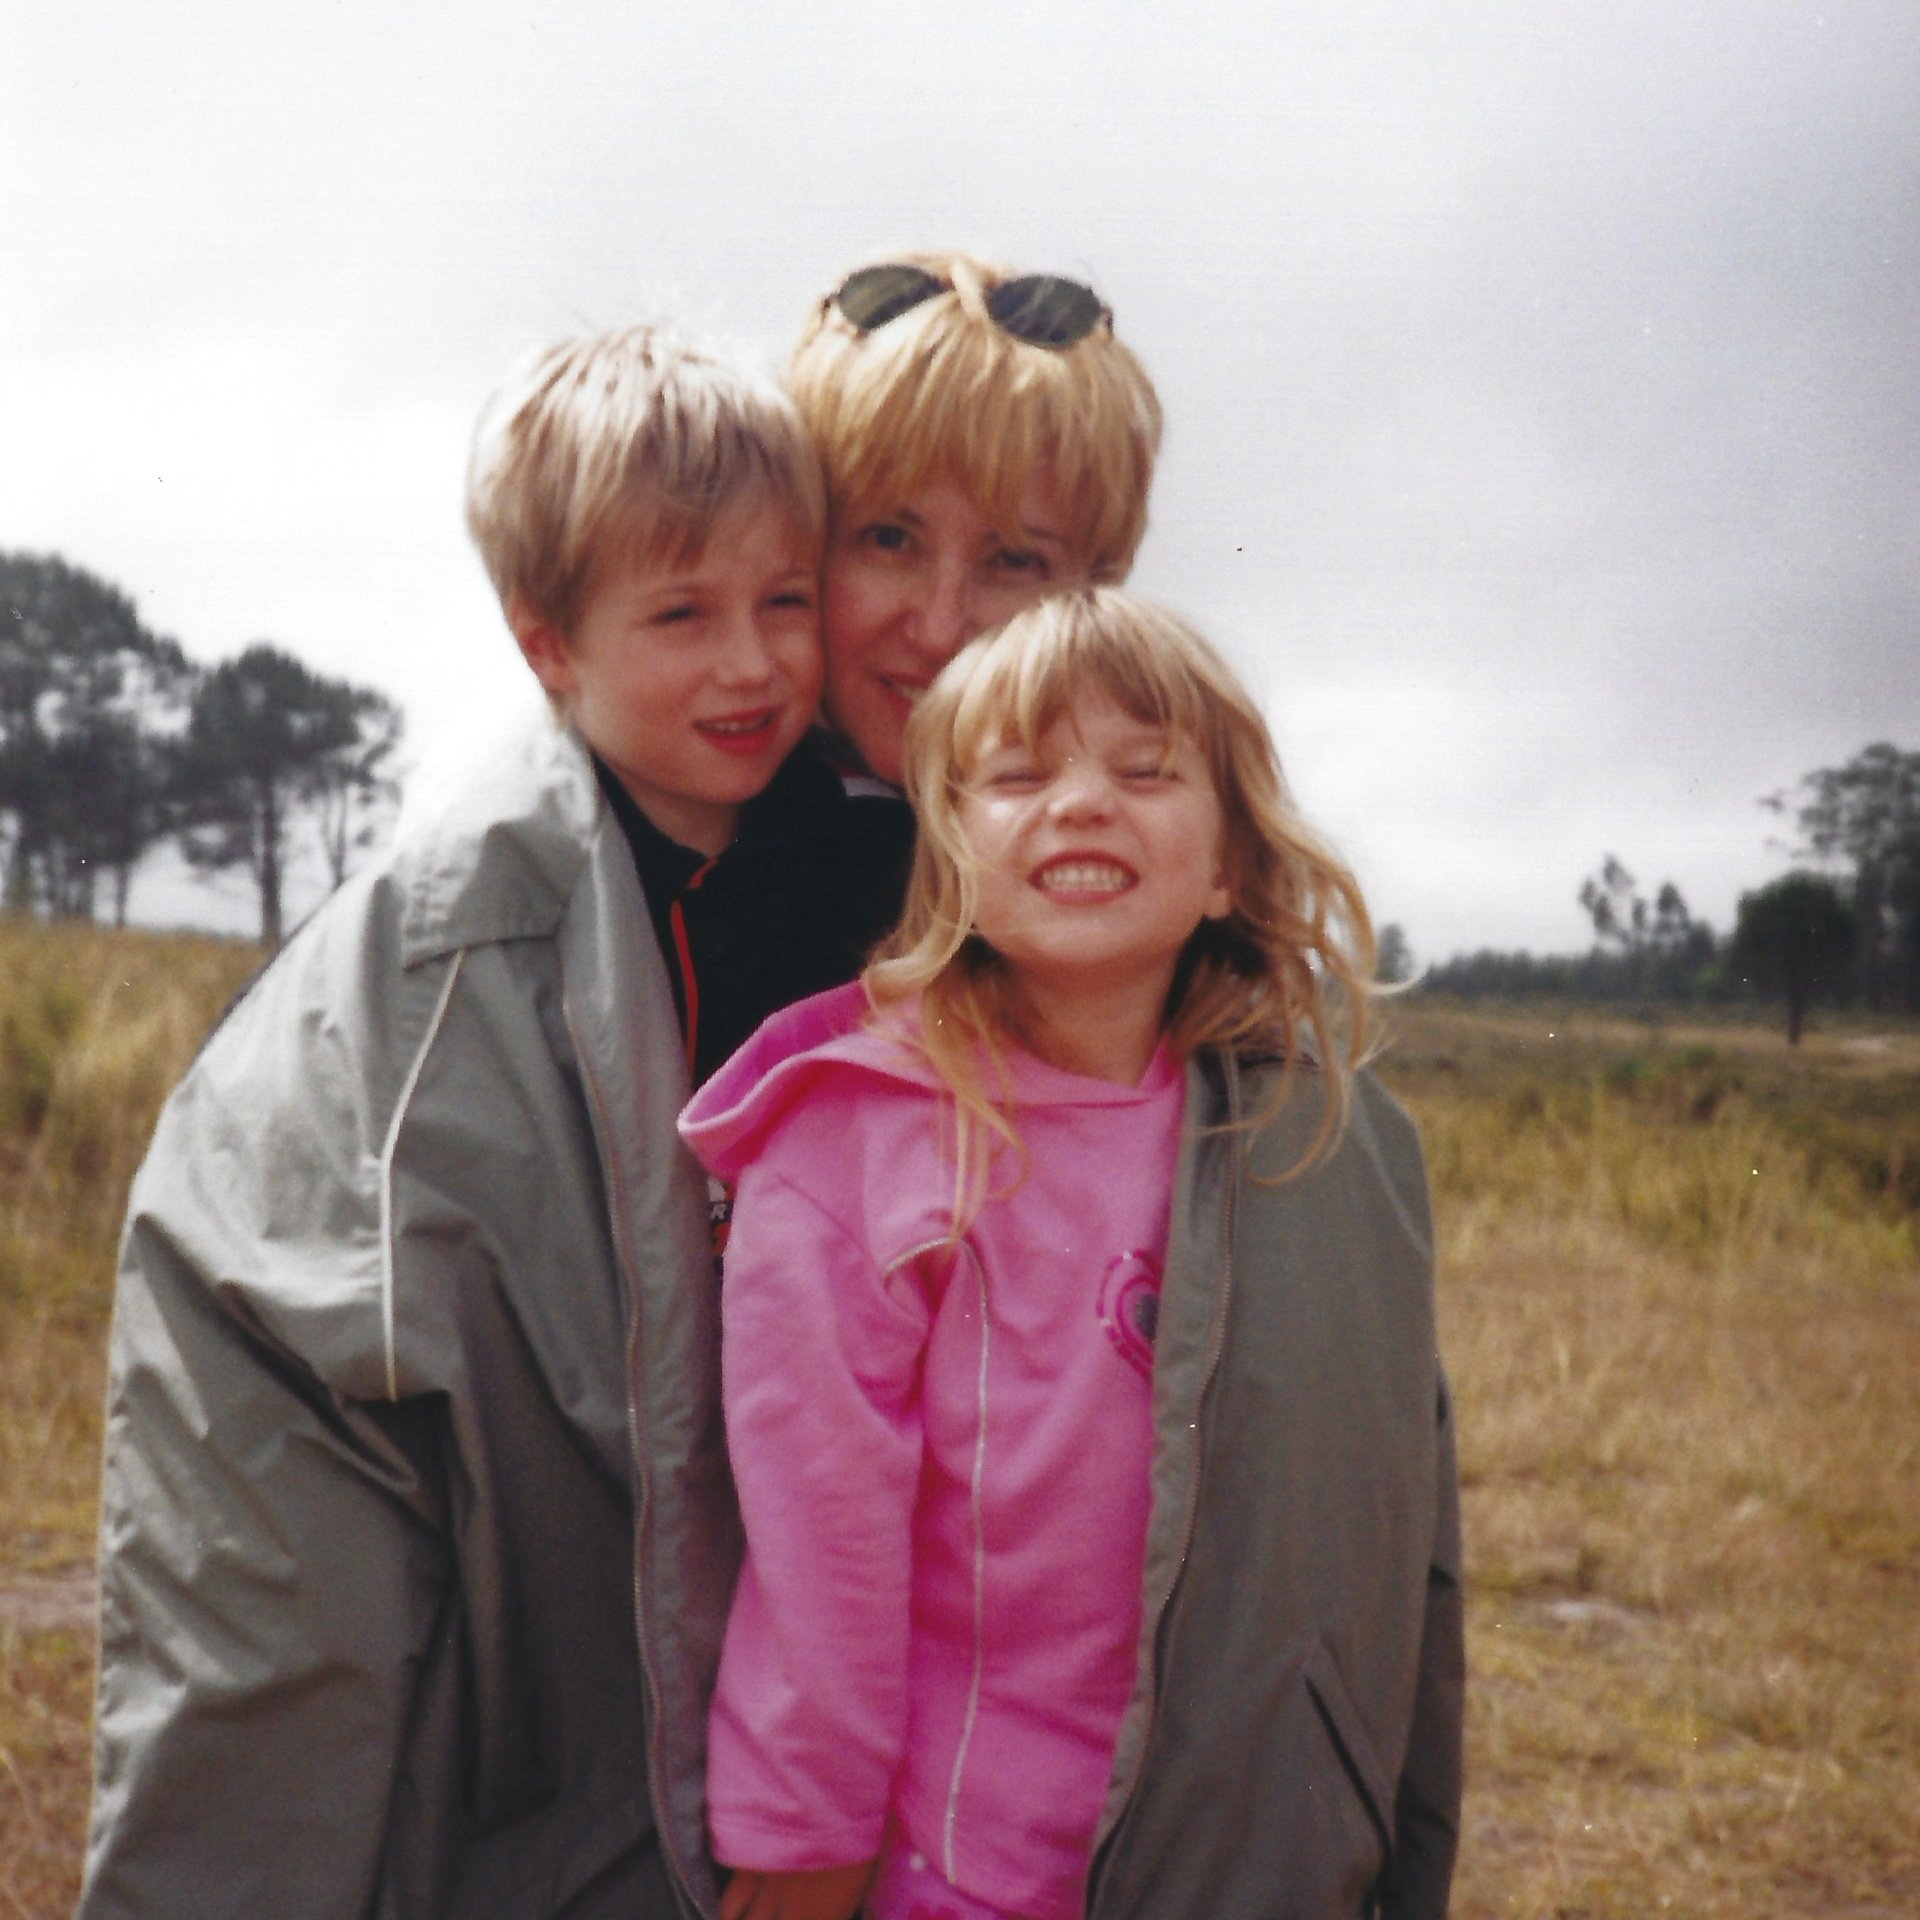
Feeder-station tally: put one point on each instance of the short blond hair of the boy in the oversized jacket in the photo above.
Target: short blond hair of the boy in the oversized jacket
(629, 444)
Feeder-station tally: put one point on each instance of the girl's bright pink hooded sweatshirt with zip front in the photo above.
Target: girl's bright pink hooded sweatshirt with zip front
(942, 1454)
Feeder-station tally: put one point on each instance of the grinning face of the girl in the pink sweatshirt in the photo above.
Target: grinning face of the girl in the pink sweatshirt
(1099, 853)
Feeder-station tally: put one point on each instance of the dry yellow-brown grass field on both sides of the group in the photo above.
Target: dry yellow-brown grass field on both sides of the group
(1681, 1303)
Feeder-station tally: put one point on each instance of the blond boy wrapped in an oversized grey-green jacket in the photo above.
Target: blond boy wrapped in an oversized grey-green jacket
(418, 1535)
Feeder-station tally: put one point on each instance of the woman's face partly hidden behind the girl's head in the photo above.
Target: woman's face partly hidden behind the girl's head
(907, 588)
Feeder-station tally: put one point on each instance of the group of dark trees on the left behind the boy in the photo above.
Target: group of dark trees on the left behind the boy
(114, 744)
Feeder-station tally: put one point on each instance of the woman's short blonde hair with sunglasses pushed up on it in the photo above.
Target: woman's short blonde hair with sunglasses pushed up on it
(944, 395)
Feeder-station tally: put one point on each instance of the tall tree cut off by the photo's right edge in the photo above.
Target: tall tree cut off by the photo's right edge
(1865, 817)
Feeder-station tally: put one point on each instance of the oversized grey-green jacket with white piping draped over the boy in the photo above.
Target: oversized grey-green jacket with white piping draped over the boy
(381, 1510)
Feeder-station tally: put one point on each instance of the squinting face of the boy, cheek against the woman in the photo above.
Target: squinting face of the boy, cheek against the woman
(694, 683)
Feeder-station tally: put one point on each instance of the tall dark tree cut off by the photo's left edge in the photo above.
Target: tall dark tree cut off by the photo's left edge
(87, 704)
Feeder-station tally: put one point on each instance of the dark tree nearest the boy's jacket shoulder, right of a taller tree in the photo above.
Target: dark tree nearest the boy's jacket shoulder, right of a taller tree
(270, 744)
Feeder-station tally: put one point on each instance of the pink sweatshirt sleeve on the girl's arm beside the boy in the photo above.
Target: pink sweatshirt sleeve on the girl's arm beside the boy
(821, 1366)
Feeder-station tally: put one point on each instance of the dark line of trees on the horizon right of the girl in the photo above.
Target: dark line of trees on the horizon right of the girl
(1844, 924)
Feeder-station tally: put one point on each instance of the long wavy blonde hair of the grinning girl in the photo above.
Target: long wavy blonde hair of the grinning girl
(1289, 971)
